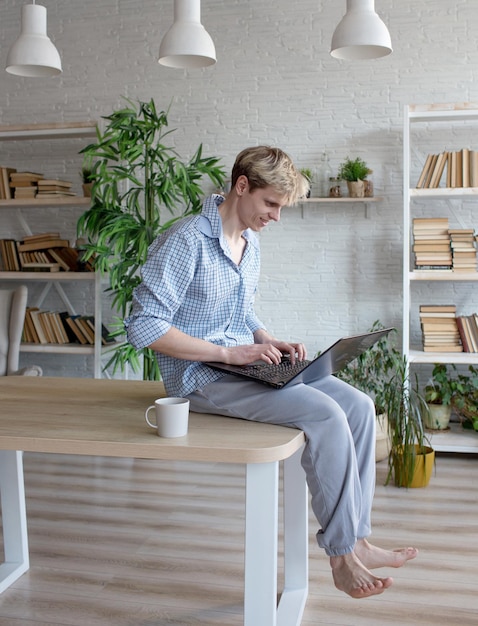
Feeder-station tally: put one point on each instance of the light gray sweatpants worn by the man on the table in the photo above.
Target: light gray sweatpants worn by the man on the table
(339, 455)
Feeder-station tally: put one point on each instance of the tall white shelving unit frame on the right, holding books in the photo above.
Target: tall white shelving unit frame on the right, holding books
(434, 117)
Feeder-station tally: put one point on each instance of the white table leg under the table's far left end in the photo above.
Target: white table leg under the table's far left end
(12, 500)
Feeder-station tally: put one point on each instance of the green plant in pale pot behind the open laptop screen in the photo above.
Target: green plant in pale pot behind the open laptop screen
(371, 372)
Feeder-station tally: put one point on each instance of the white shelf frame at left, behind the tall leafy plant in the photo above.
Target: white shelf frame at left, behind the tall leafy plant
(55, 280)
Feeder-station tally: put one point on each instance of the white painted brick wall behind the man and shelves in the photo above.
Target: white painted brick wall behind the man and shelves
(332, 270)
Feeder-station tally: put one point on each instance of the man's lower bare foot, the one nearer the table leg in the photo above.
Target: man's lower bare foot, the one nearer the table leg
(351, 576)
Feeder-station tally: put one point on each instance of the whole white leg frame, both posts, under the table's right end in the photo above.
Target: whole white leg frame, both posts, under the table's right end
(260, 596)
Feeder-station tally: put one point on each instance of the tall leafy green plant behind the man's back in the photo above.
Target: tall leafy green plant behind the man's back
(138, 179)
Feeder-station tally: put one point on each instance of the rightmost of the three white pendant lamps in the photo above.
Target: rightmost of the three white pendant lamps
(361, 34)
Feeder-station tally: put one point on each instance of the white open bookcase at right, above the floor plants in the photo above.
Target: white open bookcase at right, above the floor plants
(431, 129)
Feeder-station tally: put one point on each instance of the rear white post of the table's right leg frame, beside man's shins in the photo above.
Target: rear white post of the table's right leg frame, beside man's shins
(296, 544)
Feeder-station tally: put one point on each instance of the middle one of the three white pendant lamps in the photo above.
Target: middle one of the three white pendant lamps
(187, 44)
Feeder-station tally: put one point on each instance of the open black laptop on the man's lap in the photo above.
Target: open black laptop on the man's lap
(326, 363)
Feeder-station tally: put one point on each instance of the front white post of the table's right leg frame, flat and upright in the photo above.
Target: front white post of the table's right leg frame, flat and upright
(260, 591)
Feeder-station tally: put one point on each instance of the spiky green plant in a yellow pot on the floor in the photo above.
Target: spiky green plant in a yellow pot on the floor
(411, 457)
